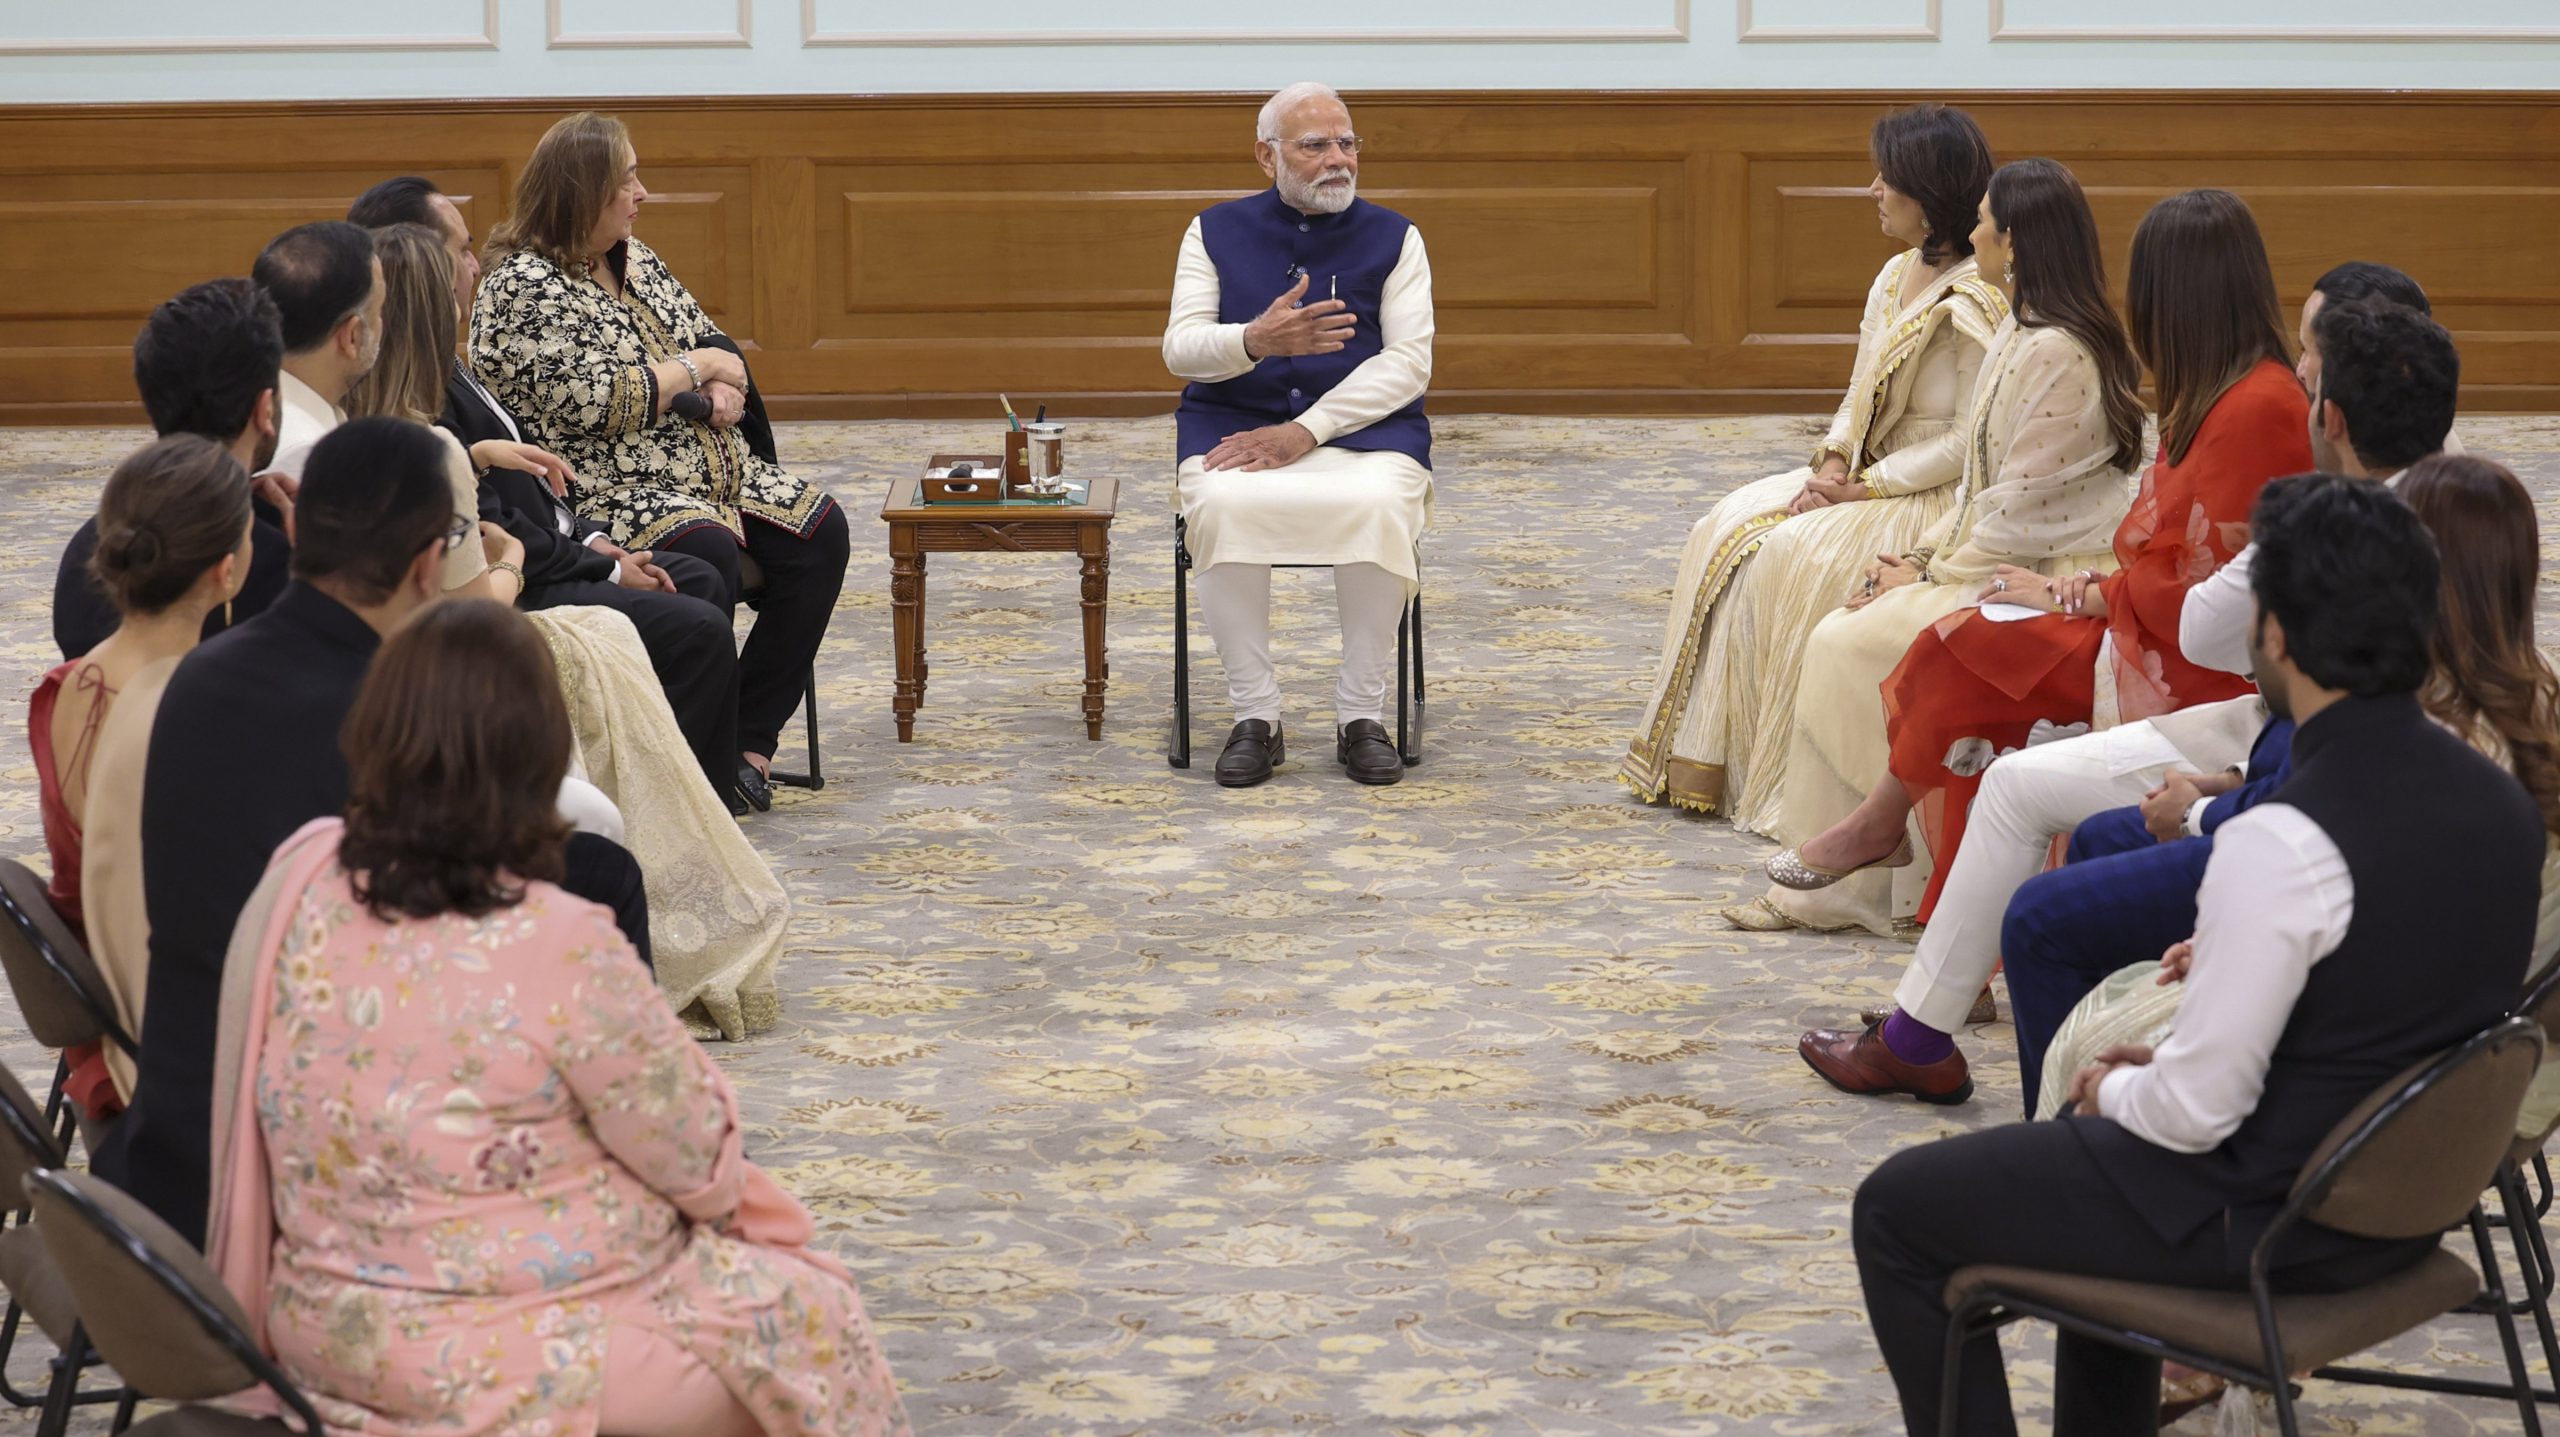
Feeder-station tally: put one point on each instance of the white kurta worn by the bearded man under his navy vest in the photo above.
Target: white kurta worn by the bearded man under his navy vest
(1338, 506)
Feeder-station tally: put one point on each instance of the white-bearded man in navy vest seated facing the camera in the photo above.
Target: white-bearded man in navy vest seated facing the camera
(1302, 319)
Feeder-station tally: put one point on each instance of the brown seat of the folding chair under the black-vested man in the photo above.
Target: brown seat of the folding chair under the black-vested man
(2226, 1326)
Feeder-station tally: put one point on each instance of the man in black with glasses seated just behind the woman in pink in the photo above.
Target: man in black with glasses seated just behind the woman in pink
(247, 752)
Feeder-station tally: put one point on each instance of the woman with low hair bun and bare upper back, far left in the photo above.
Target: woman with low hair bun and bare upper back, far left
(173, 547)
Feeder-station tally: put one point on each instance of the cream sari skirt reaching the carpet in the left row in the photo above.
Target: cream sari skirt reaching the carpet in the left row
(716, 911)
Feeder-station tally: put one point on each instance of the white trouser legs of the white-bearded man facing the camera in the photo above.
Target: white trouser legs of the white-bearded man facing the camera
(1238, 608)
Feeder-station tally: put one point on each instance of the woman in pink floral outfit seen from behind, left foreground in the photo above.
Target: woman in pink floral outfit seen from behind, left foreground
(470, 1169)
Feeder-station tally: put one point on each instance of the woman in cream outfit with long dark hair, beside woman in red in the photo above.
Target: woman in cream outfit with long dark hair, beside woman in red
(2052, 439)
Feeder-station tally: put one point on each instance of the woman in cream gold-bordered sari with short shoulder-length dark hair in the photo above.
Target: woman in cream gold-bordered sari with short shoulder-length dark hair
(1765, 565)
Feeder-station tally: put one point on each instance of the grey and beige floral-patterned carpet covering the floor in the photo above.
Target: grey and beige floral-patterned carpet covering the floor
(1440, 1110)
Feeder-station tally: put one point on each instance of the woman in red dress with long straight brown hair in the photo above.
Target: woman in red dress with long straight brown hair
(2100, 649)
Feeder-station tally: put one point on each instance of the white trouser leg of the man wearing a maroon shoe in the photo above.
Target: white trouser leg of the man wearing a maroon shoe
(2024, 806)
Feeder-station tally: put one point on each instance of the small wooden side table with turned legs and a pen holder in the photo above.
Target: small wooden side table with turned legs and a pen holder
(1007, 526)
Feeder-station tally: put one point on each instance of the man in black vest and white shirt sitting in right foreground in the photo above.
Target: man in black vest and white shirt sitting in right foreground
(2328, 957)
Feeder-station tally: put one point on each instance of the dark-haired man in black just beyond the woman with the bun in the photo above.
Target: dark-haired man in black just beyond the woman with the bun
(206, 365)
